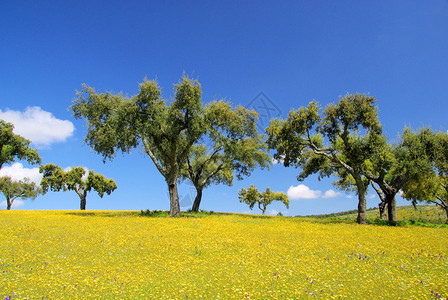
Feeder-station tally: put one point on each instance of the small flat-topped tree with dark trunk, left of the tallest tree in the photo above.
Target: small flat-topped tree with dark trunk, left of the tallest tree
(56, 179)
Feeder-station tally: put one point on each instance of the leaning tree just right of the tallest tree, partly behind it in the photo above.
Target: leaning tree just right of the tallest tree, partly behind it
(235, 147)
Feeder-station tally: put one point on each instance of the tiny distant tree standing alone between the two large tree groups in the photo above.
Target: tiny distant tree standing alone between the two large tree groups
(252, 196)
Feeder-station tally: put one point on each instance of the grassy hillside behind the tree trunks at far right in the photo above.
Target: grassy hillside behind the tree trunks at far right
(421, 213)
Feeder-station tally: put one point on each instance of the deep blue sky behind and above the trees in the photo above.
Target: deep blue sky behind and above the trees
(291, 51)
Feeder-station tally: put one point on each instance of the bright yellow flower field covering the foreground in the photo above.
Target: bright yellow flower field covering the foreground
(120, 255)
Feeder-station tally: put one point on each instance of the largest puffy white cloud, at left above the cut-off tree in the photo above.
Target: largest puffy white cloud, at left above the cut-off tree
(39, 126)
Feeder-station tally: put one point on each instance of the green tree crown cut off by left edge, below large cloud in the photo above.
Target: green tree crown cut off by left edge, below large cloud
(13, 146)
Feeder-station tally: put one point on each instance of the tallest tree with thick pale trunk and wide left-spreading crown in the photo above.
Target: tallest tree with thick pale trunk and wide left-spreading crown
(167, 132)
